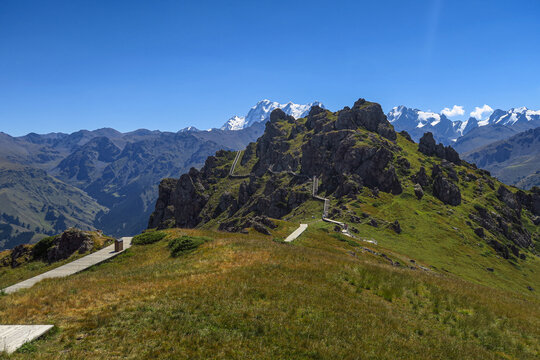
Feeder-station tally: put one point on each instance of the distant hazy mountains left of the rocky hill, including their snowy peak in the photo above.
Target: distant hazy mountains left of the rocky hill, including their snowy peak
(103, 179)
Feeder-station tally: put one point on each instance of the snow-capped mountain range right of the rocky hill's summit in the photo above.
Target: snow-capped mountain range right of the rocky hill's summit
(499, 125)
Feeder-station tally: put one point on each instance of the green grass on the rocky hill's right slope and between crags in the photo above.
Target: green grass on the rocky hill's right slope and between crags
(439, 235)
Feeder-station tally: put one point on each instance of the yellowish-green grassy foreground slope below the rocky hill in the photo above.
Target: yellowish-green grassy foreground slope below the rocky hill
(249, 296)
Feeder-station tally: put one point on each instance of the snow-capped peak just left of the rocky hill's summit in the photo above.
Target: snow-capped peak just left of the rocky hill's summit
(261, 112)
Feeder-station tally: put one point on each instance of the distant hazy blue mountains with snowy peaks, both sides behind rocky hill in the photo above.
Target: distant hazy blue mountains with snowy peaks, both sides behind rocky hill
(108, 180)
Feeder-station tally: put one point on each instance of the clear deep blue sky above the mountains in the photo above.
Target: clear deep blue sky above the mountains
(67, 65)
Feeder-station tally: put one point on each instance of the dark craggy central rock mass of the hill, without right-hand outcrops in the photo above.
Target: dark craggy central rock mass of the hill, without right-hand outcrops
(329, 150)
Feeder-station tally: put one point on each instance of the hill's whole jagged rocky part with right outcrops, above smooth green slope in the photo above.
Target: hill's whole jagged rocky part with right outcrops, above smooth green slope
(355, 154)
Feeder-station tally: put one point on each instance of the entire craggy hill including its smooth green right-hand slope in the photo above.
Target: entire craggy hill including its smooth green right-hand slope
(419, 199)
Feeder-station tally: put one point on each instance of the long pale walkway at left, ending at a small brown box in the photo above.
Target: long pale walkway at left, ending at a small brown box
(72, 267)
